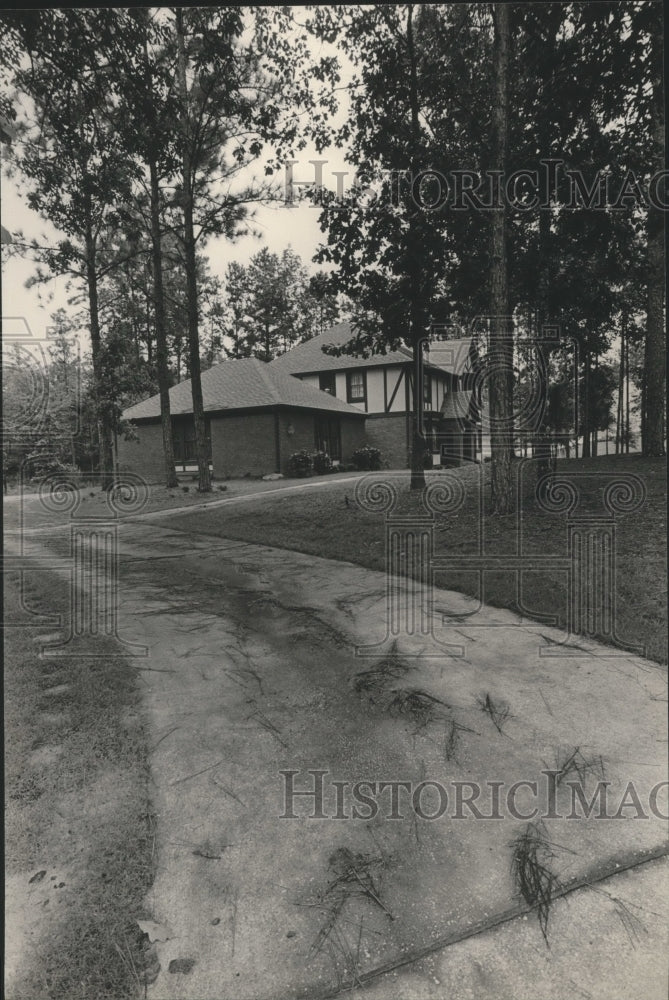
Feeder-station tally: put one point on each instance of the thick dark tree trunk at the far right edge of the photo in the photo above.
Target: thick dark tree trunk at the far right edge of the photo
(654, 362)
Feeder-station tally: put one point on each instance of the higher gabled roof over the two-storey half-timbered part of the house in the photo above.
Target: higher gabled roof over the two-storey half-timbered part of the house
(453, 356)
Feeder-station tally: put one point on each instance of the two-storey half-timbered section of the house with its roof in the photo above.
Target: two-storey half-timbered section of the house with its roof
(381, 387)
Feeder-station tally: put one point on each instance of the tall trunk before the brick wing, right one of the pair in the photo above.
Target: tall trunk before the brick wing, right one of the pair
(204, 478)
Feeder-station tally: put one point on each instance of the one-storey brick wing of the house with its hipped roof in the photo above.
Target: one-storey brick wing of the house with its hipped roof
(256, 417)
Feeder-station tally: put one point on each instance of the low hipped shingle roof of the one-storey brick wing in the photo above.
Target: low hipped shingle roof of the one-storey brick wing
(240, 385)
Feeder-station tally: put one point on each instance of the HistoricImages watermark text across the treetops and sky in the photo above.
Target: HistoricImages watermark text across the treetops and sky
(462, 190)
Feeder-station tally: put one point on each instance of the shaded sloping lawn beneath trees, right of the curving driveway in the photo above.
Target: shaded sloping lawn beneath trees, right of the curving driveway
(327, 522)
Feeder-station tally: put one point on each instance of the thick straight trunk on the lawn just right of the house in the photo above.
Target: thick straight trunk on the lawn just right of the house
(501, 348)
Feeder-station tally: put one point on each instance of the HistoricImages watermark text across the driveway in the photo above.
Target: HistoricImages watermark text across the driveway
(305, 795)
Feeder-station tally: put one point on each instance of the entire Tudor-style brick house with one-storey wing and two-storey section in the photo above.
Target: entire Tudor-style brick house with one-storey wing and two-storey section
(257, 414)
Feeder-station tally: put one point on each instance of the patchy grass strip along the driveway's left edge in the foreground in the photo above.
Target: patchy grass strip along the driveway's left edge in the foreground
(78, 829)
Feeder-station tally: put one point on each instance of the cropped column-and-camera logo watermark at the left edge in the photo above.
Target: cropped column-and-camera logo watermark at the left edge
(31, 431)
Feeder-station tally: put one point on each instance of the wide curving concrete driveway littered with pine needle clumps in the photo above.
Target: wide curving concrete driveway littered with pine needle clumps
(255, 691)
